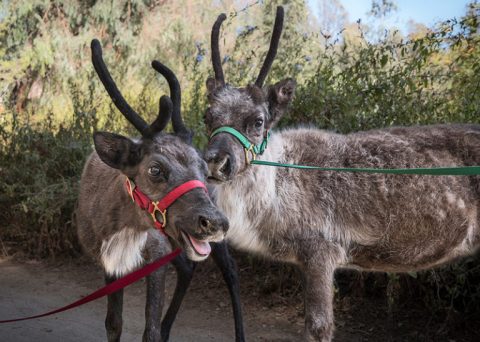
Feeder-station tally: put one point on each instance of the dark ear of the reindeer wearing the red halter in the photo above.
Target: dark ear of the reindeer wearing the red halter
(116, 150)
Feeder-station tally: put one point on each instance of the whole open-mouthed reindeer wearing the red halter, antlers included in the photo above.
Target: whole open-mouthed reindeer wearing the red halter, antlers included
(120, 234)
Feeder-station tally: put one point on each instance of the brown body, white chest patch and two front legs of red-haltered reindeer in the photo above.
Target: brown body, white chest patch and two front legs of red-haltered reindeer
(117, 234)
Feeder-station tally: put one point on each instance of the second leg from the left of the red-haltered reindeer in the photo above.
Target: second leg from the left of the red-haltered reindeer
(156, 247)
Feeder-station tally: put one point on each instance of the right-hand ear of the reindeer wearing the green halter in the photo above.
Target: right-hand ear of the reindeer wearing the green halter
(279, 96)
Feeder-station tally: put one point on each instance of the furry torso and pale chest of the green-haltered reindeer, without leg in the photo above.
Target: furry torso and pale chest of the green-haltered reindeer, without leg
(377, 222)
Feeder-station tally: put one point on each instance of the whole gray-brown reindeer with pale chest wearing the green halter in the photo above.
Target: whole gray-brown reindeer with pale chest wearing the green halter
(321, 221)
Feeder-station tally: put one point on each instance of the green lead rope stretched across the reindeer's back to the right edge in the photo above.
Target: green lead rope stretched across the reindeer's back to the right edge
(435, 171)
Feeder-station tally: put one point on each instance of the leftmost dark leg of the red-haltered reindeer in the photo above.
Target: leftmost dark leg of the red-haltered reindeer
(113, 321)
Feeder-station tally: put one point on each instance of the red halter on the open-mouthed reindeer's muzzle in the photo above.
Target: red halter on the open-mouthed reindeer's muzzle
(161, 206)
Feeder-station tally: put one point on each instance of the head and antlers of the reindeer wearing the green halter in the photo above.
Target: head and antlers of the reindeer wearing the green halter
(251, 111)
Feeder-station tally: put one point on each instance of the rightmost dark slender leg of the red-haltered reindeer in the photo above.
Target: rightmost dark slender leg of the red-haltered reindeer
(228, 267)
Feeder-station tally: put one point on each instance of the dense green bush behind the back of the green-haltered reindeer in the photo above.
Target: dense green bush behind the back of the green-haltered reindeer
(360, 85)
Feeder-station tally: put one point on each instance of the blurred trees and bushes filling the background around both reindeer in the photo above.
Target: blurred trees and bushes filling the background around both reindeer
(350, 78)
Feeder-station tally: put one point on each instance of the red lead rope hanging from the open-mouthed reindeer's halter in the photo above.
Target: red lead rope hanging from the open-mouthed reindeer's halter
(110, 288)
